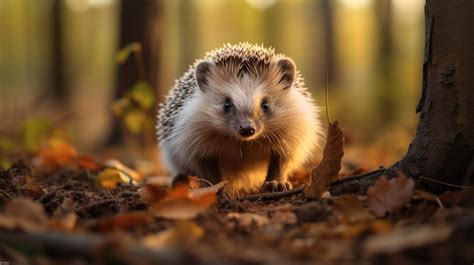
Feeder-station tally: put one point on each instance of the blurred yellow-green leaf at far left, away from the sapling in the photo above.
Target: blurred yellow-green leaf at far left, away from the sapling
(35, 131)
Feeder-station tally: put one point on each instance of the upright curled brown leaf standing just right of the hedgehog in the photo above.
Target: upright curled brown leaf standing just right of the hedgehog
(328, 170)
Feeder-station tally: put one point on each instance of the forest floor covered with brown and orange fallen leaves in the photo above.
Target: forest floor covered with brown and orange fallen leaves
(57, 207)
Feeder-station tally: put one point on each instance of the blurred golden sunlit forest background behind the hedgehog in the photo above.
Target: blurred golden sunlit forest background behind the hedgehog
(59, 69)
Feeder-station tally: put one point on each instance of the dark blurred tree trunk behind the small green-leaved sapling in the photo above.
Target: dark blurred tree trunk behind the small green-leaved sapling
(138, 19)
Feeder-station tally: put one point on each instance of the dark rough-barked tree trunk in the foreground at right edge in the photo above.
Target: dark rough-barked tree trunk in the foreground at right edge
(443, 147)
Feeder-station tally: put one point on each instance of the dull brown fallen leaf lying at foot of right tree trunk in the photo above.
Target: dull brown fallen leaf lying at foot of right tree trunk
(389, 196)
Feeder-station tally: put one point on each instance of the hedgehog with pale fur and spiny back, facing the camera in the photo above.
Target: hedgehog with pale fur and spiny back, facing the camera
(241, 114)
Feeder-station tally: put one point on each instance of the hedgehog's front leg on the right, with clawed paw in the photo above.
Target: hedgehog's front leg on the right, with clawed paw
(277, 175)
